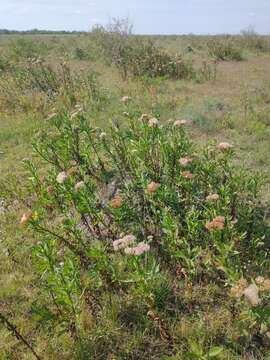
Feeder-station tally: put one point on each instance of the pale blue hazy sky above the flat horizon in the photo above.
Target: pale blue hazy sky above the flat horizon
(148, 16)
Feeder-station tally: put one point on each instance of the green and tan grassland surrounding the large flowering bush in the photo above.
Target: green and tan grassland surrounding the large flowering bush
(231, 103)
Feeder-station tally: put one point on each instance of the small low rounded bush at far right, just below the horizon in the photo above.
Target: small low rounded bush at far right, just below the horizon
(224, 50)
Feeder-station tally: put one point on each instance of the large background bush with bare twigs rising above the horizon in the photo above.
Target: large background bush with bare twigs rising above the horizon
(136, 57)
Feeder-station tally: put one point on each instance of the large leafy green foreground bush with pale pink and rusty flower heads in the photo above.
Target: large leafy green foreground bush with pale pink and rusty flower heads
(119, 214)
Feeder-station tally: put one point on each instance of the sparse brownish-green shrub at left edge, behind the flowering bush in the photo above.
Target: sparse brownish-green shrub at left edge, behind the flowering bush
(37, 78)
